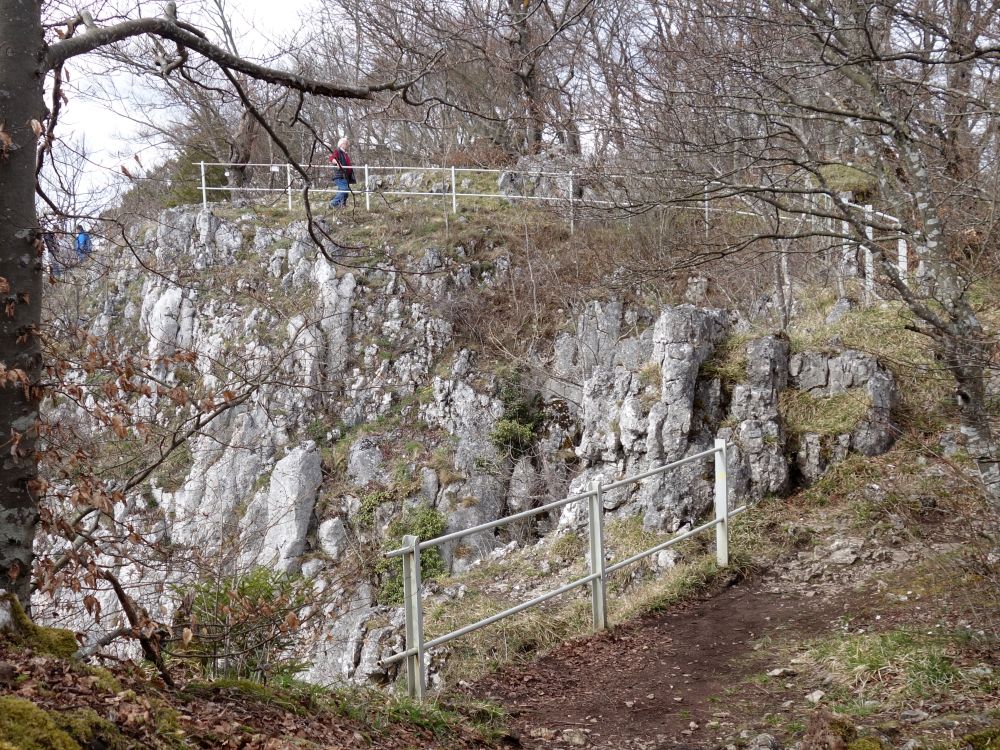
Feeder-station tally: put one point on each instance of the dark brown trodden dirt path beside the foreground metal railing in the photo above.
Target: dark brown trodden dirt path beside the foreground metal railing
(662, 681)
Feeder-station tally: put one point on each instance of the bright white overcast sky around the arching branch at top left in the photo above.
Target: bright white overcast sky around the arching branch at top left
(104, 128)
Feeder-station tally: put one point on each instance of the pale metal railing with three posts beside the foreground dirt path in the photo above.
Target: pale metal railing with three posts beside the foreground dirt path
(415, 647)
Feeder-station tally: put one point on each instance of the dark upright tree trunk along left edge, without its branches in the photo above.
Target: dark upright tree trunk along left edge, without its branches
(20, 290)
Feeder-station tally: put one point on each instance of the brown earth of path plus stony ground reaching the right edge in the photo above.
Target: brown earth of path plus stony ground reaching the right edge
(697, 675)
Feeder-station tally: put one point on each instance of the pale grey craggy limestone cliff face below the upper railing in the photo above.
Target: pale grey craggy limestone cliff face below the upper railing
(363, 404)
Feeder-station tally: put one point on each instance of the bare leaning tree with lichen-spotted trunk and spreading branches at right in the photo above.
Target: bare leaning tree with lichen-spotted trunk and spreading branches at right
(760, 106)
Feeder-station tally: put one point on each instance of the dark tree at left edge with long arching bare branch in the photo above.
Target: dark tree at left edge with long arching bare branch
(35, 55)
